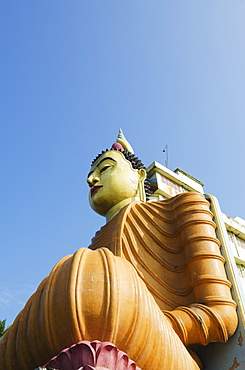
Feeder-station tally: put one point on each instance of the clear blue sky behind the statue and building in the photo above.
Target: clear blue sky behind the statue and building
(72, 73)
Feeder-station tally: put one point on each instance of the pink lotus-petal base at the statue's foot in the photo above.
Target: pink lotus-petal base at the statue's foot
(92, 355)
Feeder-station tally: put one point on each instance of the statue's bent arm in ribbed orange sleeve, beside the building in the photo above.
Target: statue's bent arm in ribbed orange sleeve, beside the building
(212, 317)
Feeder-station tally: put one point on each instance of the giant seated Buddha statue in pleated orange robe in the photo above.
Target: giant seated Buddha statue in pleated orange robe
(152, 282)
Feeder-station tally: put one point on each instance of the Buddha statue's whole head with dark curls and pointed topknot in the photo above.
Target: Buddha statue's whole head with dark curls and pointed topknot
(116, 178)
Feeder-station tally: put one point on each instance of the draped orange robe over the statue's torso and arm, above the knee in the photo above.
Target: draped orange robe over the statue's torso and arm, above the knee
(173, 247)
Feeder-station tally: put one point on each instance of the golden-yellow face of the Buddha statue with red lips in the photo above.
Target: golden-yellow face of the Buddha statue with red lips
(112, 179)
